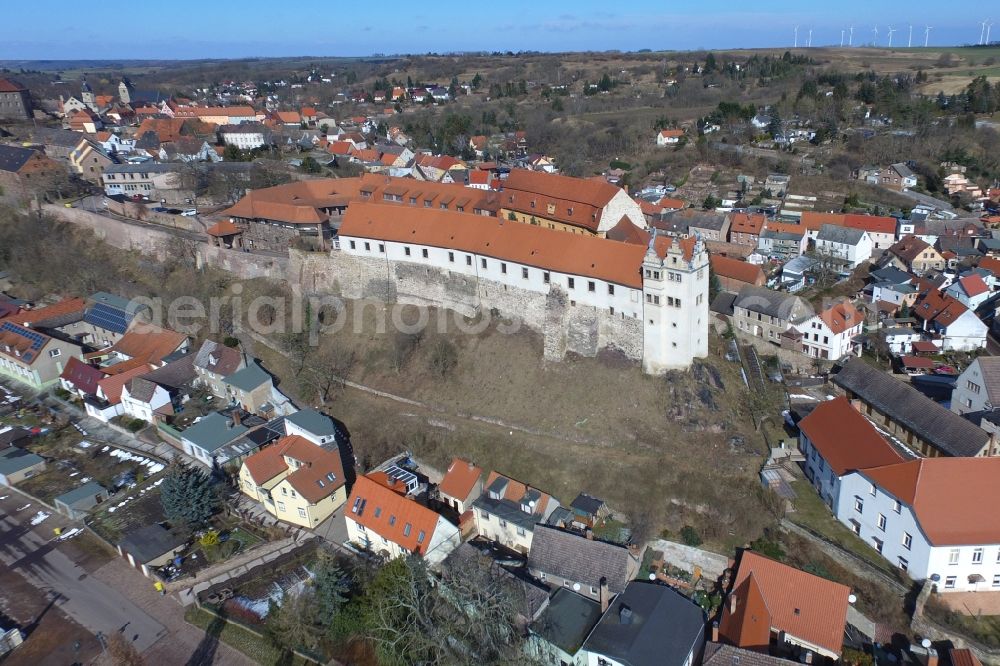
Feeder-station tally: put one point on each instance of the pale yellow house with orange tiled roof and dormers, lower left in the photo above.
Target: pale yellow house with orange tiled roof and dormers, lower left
(295, 480)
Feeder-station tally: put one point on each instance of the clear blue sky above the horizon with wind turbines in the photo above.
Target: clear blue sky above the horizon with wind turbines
(199, 29)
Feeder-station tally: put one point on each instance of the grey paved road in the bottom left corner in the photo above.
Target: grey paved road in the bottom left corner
(31, 551)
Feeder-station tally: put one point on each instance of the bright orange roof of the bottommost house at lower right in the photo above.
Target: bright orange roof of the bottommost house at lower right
(805, 606)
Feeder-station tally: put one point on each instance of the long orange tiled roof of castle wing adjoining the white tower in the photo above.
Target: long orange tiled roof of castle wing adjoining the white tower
(526, 244)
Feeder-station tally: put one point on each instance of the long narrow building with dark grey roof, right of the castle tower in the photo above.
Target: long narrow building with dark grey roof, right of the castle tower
(919, 423)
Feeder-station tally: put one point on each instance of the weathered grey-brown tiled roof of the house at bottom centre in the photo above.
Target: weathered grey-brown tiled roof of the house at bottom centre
(579, 559)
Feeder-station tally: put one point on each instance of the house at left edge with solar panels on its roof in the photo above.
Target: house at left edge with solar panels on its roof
(32, 357)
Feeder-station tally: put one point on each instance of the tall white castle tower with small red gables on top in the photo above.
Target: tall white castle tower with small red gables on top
(675, 303)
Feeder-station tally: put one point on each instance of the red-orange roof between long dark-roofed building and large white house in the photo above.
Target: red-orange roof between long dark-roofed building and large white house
(845, 438)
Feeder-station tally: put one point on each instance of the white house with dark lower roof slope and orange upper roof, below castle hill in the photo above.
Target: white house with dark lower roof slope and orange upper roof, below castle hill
(508, 511)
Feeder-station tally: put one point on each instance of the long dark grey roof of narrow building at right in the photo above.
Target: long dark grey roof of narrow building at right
(946, 430)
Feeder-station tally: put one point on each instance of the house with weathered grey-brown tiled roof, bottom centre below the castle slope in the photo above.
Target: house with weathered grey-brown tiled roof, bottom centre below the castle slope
(589, 567)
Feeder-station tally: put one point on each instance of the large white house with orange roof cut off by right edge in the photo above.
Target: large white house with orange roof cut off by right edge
(932, 517)
